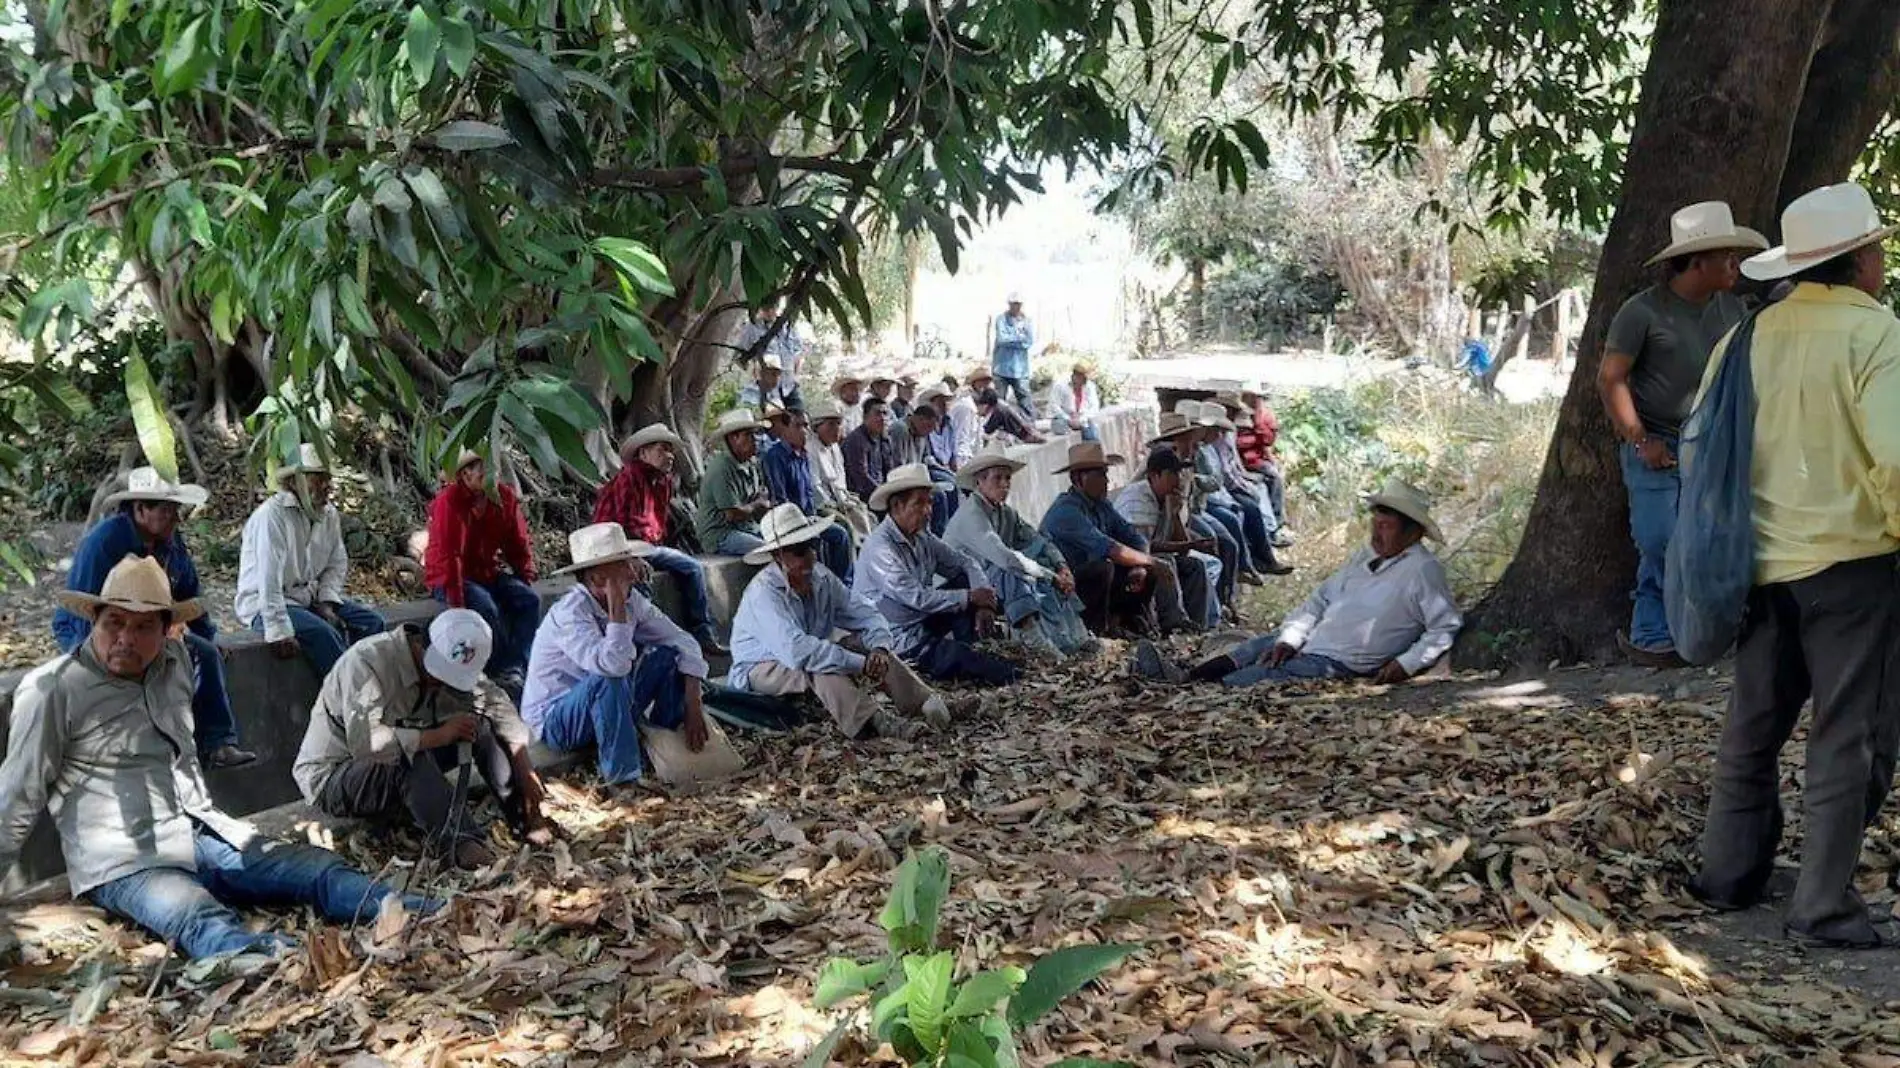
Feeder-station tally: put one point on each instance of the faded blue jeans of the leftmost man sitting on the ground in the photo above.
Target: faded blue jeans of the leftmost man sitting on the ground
(197, 911)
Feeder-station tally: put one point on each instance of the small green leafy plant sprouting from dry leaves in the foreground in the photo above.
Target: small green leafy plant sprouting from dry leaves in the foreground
(922, 1010)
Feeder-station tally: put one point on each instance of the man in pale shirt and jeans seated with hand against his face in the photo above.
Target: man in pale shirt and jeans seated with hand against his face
(609, 670)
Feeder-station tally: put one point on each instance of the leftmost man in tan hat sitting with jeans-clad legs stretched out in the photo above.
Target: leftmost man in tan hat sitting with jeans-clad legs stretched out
(104, 738)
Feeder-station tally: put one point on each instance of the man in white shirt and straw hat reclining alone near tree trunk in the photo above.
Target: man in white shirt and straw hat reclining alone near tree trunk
(1386, 615)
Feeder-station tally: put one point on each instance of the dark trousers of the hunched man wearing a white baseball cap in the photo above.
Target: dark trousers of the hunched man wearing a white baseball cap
(425, 788)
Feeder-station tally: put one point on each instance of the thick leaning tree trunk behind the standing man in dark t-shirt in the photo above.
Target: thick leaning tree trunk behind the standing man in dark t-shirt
(1715, 123)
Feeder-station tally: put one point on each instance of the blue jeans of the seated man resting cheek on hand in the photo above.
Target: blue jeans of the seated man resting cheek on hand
(605, 712)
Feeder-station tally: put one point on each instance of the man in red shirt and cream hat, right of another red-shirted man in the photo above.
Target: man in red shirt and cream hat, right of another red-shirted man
(641, 501)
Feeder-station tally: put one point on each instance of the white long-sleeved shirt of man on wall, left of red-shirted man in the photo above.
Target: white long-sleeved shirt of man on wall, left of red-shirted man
(290, 558)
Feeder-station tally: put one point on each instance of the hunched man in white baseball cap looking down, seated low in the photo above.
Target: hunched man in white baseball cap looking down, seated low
(400, 715)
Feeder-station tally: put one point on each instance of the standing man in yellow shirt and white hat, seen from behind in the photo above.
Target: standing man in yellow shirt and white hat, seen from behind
(1825, 611)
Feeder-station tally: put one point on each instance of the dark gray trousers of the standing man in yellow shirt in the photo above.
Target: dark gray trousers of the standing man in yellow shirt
(1829, 638)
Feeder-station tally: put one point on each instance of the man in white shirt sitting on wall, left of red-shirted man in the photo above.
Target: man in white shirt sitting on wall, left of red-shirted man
(292, 569)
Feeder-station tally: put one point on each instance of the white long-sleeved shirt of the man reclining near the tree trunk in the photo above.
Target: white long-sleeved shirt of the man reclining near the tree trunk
(1363, 617)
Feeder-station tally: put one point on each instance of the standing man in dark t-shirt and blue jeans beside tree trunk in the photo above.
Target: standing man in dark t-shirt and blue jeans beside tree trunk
(1654, 362)
